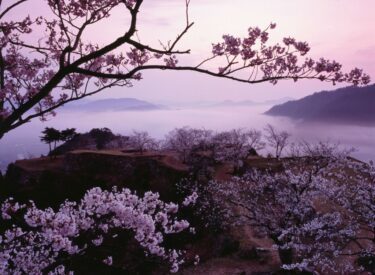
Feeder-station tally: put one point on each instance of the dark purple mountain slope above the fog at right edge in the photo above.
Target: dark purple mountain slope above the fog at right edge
(346, 105)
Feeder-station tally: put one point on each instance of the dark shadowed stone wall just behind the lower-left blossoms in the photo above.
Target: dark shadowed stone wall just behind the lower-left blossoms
(50, 181)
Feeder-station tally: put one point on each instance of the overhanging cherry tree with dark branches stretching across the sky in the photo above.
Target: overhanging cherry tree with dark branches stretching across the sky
(46, 61)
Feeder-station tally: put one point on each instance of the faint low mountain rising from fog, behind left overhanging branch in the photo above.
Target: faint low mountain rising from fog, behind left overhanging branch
(113, 104)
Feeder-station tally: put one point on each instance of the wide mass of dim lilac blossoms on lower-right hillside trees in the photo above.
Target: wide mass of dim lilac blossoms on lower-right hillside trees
(317, 209)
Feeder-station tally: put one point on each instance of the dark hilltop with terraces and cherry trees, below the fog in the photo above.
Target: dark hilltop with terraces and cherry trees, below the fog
(228, 235)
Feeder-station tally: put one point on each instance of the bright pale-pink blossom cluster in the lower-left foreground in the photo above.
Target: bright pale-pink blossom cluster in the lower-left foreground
(44, 238)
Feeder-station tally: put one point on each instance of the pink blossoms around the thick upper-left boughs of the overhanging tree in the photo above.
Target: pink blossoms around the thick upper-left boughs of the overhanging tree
(28, 67)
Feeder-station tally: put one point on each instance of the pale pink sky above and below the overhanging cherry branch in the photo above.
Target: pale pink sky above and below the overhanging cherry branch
(343, 30)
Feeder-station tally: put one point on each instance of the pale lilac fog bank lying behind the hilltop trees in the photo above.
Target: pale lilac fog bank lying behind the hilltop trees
(24, 142)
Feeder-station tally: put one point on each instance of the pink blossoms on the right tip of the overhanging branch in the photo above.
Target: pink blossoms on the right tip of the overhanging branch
(274, 62)
